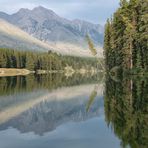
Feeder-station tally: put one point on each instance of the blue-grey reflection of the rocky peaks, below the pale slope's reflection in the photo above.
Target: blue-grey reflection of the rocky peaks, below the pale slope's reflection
(47, 116)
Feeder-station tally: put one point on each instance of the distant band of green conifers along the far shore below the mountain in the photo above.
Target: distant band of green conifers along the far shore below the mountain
(45, 61)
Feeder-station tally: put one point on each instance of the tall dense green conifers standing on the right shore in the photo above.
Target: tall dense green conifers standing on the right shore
(126, 37)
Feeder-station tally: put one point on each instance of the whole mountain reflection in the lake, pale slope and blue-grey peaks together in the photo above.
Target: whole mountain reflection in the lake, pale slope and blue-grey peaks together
(41, 111)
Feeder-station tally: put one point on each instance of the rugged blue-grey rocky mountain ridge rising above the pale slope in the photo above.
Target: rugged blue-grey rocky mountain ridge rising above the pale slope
(41, 19)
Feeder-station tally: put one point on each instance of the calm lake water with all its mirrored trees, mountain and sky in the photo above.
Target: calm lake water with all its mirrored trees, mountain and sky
(55, 111)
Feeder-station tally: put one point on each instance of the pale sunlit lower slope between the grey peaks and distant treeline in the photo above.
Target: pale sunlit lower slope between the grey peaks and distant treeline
(14, 38)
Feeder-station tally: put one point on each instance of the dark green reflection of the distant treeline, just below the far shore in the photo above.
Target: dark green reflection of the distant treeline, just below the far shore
(17, 84)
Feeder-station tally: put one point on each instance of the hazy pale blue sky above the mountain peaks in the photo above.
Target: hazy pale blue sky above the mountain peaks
(96, 11)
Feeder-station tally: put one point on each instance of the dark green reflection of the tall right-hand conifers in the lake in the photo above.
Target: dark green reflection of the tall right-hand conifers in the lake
(126, 110)
